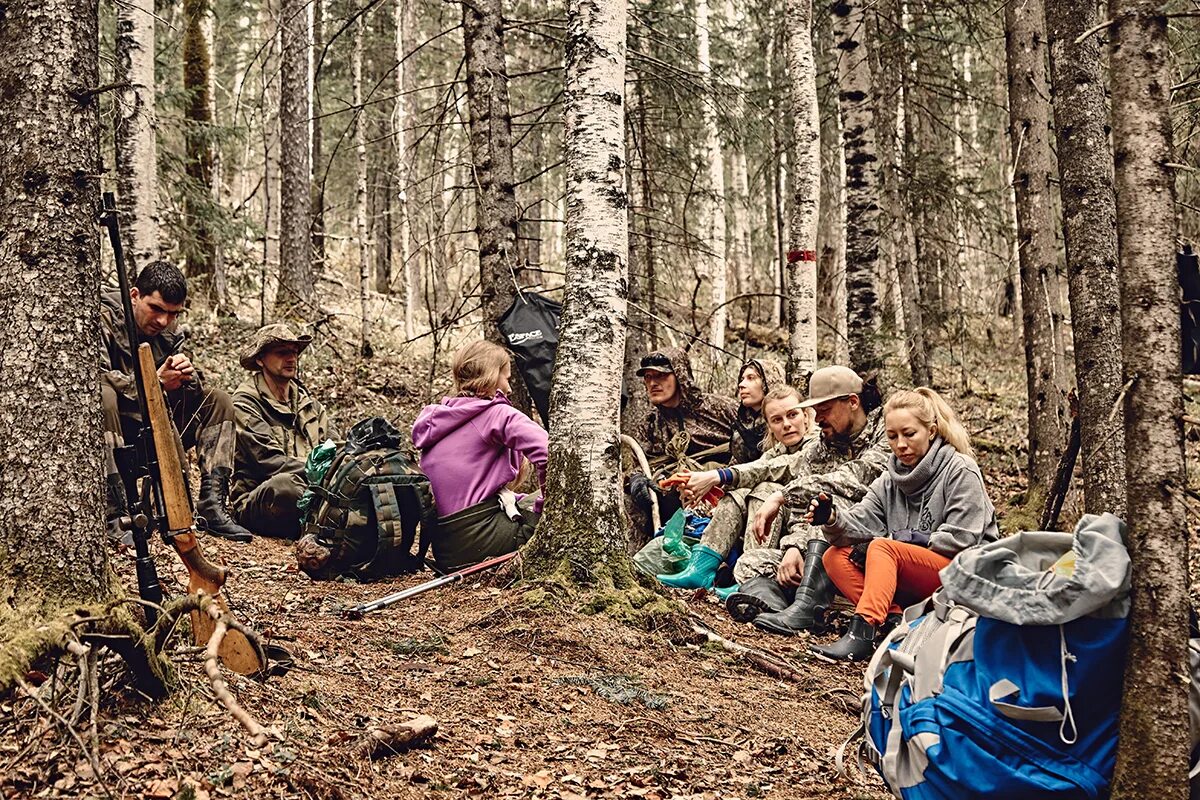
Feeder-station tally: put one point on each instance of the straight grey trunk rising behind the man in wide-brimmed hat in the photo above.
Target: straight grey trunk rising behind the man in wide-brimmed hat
(296, 170)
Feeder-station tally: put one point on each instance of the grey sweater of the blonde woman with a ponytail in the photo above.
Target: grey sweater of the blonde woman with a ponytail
(941, 503)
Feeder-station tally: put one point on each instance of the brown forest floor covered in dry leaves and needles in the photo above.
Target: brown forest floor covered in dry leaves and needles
(530, 702)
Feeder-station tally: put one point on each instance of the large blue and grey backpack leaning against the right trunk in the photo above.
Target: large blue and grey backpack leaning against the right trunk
(1007, 683)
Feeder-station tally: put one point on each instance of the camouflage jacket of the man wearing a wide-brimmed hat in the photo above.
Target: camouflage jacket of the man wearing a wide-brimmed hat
(274, 437)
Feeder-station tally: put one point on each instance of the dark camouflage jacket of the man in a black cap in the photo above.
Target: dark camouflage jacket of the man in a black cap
(700, 423)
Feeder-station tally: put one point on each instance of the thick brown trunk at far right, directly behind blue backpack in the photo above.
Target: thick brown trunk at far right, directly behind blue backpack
(1153, 761)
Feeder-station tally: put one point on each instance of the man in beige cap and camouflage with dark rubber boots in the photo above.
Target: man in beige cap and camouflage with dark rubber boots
(782, 590)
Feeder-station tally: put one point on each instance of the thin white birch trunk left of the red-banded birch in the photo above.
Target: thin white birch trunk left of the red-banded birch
(712, 206)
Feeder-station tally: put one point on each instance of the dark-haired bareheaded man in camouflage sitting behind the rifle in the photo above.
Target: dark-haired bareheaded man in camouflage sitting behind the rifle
(203, 416)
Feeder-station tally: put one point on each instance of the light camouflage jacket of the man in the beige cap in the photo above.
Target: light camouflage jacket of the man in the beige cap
(845, 473)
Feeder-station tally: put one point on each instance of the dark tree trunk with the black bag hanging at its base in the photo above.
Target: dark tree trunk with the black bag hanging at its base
(491, 145)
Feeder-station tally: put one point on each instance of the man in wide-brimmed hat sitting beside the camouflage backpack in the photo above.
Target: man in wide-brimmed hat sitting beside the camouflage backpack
(280, 424)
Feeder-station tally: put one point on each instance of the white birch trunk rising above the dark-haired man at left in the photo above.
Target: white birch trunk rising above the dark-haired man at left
(135, 140)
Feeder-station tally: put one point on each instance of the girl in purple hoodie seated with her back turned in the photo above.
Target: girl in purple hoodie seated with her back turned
(472, 448)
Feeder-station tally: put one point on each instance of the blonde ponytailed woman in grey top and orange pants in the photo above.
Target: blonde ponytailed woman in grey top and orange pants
(927, 508)
